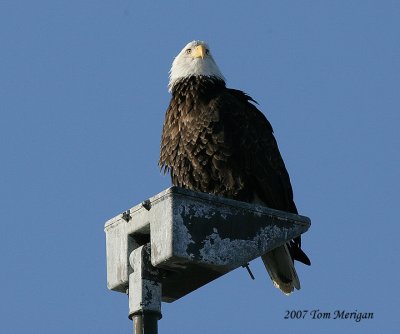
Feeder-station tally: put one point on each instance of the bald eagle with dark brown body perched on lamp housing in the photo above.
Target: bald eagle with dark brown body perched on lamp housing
(216, 141)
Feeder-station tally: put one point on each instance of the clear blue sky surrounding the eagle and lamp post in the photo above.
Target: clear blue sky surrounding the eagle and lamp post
(83, 93)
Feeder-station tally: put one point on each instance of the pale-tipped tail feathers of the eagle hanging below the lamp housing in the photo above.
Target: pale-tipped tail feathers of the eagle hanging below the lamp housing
(280, 267)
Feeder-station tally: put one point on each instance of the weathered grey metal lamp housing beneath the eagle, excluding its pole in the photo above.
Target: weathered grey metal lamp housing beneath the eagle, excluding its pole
(195, 237)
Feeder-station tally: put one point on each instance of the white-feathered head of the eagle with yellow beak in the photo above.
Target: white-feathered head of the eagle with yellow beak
(194, 59)
